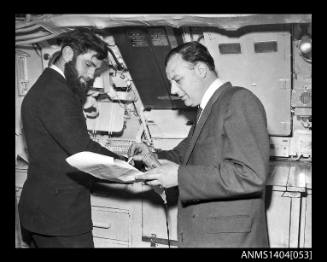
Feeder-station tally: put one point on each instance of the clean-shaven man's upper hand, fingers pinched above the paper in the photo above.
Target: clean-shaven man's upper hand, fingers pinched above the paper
(141, 152)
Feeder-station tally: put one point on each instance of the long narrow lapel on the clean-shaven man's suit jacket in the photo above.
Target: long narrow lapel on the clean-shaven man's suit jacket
(205, 113)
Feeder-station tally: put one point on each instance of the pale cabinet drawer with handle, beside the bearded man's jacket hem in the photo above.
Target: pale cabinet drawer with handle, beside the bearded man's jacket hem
(111, 223)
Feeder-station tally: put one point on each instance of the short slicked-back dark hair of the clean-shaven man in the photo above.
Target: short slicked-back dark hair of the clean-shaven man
(193, 52)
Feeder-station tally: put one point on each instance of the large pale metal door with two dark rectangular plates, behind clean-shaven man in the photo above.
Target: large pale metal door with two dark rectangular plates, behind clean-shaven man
(261, 62)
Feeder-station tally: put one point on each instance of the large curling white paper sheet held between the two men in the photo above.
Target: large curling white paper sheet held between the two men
(104, 167)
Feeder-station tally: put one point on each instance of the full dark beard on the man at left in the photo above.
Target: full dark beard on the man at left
(79, 88)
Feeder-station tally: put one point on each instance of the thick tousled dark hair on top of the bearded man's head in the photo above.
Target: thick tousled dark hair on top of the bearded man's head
(83, 39)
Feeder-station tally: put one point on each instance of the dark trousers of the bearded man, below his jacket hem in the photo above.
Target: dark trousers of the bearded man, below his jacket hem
(35, 240)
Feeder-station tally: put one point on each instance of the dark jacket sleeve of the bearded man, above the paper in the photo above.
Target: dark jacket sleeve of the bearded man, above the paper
(63, 119)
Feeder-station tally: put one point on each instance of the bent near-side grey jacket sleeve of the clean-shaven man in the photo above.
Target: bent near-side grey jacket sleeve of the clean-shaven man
(243, 170)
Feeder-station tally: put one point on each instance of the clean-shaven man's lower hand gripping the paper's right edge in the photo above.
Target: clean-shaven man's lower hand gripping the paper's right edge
(166, 175)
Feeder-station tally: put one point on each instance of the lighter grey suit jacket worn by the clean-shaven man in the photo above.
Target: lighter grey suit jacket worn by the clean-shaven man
(223, 172)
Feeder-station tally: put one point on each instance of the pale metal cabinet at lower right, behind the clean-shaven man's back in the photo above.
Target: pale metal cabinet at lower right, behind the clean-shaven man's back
(288, 203)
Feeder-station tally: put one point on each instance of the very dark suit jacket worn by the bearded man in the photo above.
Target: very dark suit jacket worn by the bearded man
(55, 199)
